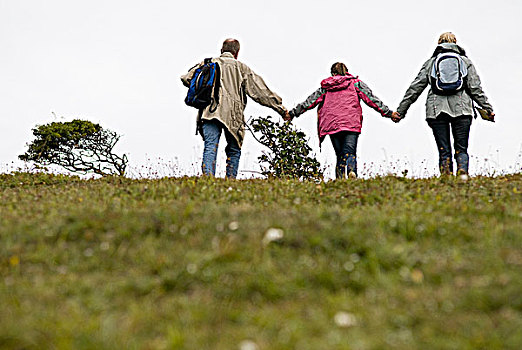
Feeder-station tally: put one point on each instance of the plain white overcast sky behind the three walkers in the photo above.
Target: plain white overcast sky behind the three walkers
(118, 62)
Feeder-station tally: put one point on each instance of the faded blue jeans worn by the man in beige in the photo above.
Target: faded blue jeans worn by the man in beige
(211, 135)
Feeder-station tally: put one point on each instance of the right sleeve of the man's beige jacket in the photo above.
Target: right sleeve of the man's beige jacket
(256, 89)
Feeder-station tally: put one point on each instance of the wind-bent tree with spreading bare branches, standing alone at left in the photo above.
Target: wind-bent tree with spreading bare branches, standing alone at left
(78, 146)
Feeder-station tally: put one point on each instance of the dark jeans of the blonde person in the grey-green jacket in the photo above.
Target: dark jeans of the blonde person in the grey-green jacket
(441, 130)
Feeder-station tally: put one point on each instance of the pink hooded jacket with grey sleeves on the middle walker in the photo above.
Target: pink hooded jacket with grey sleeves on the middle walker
(339, 104)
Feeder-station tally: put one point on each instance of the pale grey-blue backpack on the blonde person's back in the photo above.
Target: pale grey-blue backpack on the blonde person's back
(448, 74)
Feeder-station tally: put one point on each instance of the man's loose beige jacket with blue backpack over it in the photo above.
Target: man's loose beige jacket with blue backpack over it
(237, 82)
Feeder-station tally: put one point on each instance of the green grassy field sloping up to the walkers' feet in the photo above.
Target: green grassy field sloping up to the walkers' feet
(182, 264)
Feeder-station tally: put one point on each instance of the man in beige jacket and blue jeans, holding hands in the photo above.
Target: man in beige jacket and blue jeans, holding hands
(237, 82)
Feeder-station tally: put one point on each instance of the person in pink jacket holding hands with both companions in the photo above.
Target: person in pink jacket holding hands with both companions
(340, 114)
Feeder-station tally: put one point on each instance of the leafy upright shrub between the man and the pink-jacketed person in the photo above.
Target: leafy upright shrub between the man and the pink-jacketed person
(289, 154)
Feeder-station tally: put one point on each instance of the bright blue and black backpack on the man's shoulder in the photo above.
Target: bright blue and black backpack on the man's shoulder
(204, 86)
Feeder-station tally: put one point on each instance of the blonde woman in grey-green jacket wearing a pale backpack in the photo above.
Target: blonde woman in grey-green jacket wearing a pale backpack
(451, 109)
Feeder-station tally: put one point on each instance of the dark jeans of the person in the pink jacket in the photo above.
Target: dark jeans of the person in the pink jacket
(345, 146)
